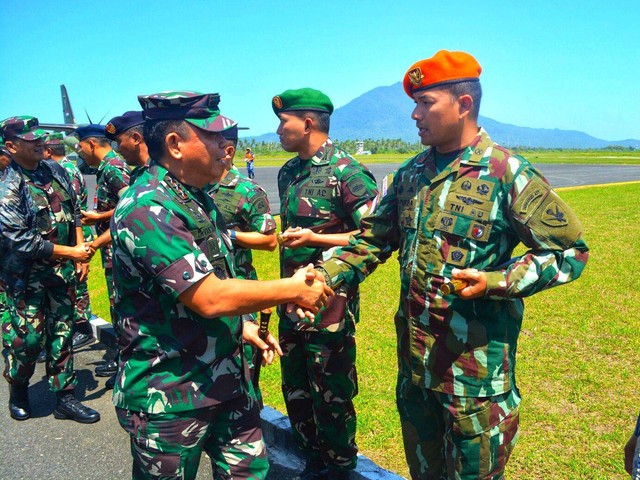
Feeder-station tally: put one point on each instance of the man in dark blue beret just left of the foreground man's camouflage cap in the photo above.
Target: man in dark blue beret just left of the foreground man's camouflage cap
(126, 131)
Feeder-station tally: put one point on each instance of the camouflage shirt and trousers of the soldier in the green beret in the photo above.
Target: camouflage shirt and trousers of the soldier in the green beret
(319, 378)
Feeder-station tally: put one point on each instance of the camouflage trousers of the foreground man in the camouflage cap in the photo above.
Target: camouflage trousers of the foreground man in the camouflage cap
(169, 446)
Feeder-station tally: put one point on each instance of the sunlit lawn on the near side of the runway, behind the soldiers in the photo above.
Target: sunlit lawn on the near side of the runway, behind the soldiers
(577, 355)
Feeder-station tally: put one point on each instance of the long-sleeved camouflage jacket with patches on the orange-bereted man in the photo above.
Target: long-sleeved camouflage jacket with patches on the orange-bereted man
(471, 215)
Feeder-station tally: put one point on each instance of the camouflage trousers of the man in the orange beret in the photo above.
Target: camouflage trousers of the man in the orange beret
(451, 437)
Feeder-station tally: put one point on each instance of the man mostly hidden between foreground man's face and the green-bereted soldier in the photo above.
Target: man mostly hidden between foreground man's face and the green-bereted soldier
(245, 208)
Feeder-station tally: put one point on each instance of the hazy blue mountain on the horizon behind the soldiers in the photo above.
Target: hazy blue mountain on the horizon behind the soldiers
(385, 112)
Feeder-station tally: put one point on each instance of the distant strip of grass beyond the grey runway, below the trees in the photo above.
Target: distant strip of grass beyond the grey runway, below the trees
(626, 157)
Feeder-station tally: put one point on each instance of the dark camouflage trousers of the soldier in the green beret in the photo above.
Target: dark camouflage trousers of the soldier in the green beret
(319, 382)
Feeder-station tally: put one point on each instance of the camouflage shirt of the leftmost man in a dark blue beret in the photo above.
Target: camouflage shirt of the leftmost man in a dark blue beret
(112, 180)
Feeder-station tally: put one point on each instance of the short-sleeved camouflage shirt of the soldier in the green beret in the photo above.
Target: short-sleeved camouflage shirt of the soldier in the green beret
(330, 187)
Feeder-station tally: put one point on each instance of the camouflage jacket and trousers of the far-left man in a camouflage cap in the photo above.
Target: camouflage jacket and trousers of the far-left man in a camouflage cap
(37, 209)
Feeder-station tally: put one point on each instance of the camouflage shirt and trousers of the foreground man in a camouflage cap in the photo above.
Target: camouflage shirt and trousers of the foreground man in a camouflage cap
(182, 385)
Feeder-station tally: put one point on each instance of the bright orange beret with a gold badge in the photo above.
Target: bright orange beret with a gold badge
(443, 68)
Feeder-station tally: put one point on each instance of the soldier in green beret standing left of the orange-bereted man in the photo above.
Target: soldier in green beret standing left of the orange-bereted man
(324, 194)
